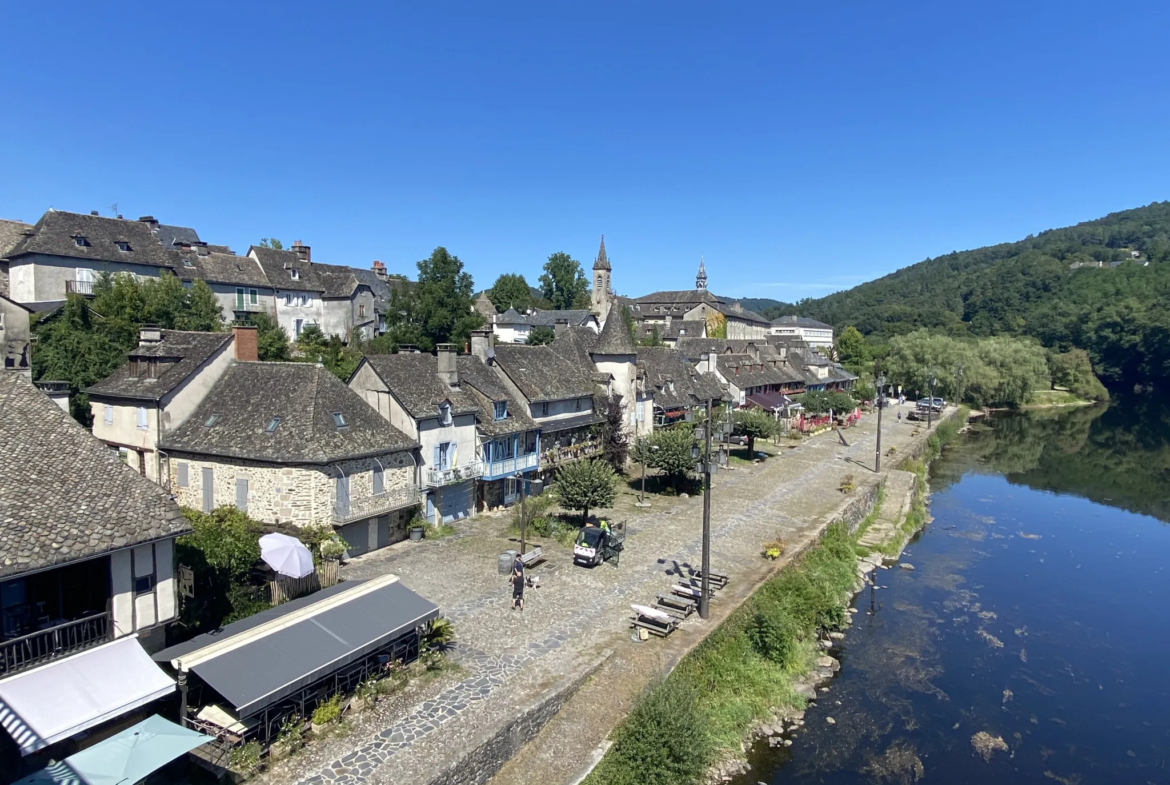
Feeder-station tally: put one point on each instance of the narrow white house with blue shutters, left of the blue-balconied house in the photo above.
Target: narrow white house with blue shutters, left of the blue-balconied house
(423, 396)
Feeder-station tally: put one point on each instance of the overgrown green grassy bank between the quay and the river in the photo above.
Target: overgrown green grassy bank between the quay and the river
(759, 669)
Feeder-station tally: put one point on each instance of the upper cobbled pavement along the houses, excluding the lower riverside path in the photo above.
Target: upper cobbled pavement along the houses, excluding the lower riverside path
(576, 611)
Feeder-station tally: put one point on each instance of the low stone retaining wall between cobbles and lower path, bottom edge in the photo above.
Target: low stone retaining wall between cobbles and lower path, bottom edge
(485, 756)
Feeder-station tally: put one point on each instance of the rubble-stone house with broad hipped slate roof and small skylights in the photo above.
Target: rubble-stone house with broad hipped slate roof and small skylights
(291, 444)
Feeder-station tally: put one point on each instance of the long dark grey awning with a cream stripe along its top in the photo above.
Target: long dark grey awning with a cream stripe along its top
(259, 662)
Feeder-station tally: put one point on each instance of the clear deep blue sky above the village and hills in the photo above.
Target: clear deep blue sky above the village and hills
(801, 148)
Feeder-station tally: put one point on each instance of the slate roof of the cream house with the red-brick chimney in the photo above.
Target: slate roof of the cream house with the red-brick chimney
(180, 355)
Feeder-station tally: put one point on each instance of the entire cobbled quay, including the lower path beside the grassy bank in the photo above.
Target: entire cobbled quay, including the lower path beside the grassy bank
(512, 660)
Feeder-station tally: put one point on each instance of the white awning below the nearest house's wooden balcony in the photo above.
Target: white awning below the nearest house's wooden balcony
(51, 704)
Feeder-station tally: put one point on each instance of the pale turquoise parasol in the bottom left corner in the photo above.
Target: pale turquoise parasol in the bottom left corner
(125, 759)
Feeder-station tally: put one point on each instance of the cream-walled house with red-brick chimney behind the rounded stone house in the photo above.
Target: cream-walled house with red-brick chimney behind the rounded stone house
(160, 387)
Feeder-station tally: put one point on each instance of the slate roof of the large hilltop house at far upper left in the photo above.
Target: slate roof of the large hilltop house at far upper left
(56, 235)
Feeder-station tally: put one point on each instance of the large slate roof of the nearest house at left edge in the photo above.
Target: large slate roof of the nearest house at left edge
(64, 494)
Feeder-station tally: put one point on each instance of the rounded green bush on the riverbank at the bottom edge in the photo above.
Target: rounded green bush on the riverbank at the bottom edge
(664, 742)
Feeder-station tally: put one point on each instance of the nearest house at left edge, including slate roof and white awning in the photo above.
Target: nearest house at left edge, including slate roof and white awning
(87, 582)
